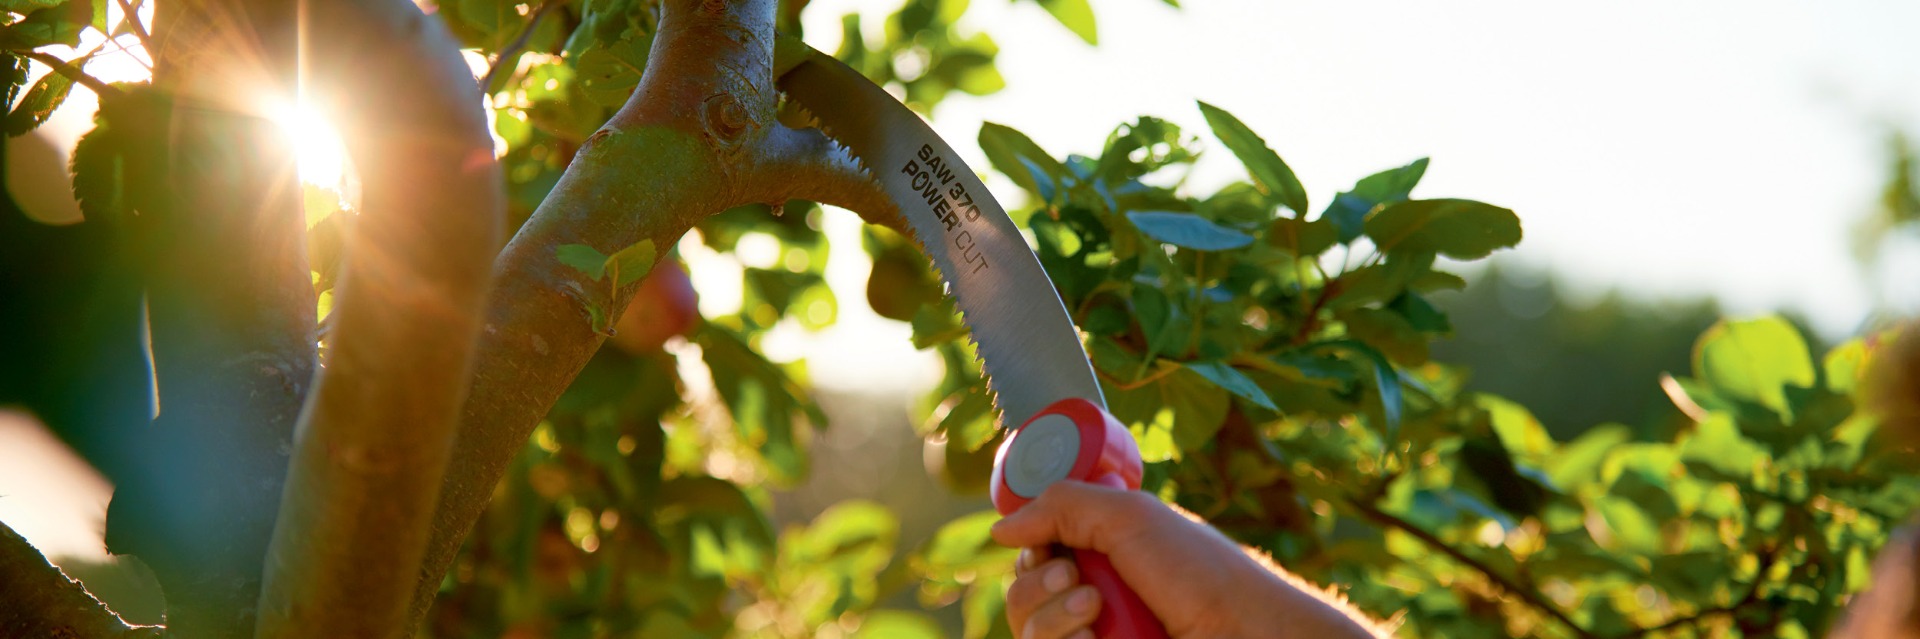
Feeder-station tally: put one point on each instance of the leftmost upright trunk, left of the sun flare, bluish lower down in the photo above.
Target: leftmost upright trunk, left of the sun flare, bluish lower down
(231, 312)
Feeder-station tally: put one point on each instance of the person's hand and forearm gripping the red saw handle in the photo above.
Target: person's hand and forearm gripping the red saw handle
(1193, 579)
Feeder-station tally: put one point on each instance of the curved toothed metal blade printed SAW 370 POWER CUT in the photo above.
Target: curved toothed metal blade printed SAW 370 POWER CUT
(1028, 346)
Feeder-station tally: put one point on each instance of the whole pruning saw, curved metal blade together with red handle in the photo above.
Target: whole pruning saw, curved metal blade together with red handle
(1028, 346)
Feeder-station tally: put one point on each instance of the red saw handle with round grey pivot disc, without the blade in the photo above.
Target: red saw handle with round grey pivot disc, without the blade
(1076, 440)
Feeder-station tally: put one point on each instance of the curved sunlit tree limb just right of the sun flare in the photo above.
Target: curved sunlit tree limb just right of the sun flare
(377, 433)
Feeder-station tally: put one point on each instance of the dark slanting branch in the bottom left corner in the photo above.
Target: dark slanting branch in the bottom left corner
(41, 602)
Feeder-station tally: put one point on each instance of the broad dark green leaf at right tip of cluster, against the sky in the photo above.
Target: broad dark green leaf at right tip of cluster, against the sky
(1460, 229)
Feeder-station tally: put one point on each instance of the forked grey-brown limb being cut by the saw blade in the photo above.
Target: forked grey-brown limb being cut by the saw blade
(696, 139)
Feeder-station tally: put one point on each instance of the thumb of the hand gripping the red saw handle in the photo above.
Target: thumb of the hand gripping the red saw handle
(1080, 515)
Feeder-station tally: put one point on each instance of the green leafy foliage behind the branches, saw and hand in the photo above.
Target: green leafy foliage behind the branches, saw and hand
(1472, 458)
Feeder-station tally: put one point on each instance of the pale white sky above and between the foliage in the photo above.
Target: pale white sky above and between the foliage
(1666, 149)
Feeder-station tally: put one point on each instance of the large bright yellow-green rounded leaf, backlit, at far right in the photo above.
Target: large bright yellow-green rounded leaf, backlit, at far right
(1754, 362)
